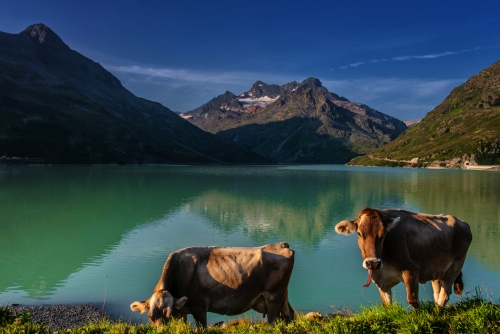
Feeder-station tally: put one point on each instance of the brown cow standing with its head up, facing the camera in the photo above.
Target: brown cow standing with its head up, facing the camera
(401, 246)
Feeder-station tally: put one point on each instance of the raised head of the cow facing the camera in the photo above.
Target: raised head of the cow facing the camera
(372, 227)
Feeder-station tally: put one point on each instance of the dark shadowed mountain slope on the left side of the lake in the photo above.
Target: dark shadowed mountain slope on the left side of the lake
(57, 106)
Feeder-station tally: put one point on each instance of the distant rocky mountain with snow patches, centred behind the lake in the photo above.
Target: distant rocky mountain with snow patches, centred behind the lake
(305, 123)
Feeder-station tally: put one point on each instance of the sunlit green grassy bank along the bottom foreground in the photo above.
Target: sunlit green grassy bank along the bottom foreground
(473, 315)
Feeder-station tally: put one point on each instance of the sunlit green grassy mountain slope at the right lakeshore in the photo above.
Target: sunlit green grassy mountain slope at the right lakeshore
(464, 128)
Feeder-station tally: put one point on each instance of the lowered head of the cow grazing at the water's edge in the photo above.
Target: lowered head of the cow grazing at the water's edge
(161, 306)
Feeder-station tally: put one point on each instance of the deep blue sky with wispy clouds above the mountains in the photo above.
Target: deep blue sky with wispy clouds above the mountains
(399, 57)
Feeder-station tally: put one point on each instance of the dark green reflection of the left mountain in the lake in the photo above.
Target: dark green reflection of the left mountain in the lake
(57, 219)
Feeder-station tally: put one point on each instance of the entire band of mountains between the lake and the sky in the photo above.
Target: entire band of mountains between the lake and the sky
(59, 107)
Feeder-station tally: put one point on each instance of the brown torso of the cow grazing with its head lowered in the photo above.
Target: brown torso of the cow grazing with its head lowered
(227, 270)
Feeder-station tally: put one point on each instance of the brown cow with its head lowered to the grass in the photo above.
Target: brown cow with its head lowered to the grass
(227, 281)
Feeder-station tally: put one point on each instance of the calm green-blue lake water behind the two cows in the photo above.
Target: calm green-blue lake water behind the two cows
(101, 234)
